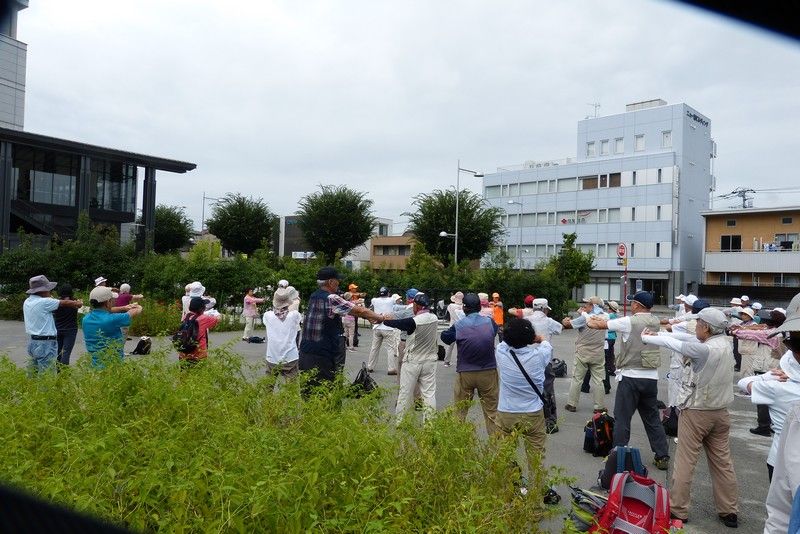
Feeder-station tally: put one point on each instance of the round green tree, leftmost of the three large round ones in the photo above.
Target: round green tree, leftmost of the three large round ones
(241, 223)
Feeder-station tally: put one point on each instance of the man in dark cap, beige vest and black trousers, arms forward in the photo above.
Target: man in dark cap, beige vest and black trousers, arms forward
(637, 373)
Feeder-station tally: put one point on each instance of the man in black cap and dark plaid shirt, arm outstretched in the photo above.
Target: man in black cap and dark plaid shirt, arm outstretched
(322, 347)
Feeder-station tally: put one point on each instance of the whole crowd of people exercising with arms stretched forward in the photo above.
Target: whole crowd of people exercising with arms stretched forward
(505, 357)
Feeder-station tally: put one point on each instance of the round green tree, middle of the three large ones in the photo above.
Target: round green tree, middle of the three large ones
(335, 220)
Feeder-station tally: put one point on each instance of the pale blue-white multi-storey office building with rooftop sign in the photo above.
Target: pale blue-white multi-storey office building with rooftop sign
(640, 178)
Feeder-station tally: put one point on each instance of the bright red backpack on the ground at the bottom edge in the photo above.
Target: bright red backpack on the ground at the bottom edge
(636, 504)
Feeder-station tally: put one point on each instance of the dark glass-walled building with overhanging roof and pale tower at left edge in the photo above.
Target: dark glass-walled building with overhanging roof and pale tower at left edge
(46, 182)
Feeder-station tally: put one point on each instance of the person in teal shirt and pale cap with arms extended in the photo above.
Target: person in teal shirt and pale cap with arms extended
(102, 328)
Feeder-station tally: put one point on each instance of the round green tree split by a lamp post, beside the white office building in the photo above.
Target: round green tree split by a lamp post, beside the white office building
(479, 225)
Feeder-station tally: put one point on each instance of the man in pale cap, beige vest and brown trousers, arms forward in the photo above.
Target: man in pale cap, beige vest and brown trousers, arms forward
(704, 422)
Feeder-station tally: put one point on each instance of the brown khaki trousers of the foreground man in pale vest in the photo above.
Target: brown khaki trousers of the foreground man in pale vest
(709, 430)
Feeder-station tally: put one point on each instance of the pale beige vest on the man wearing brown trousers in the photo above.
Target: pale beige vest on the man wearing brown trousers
(710, 389)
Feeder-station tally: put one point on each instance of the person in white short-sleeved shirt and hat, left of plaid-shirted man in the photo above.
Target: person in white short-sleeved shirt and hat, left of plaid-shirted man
(281, 323)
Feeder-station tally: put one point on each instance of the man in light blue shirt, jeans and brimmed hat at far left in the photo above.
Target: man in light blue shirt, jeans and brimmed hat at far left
(40, 325)
